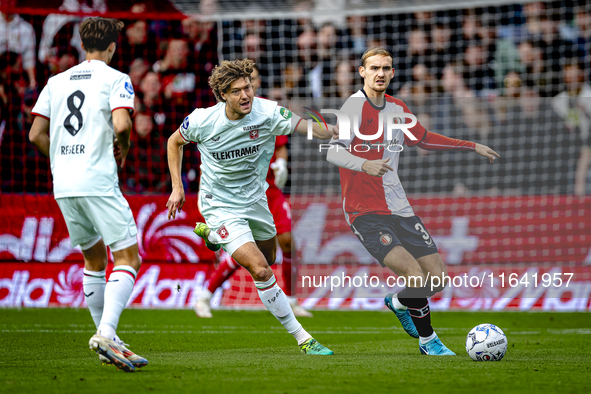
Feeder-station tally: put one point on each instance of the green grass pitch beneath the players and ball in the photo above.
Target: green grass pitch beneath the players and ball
(46, 351)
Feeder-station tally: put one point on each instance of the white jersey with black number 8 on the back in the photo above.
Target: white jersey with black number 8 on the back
(79, 103)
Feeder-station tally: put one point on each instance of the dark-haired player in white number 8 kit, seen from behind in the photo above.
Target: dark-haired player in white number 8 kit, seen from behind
(86, 110)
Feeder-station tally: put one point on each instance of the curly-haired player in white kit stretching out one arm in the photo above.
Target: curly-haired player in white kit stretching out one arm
(236, 139)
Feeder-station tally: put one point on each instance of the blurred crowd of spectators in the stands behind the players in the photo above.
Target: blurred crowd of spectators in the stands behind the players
(483, 65)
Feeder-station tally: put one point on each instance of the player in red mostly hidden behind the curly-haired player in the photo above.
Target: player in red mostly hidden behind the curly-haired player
(276, 178)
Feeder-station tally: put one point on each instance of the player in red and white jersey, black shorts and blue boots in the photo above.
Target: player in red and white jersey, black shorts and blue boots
(375, 203)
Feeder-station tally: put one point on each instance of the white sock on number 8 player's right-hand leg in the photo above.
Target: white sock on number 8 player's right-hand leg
(117, 293)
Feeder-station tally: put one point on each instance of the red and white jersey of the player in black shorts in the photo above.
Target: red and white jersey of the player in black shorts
(365, 194)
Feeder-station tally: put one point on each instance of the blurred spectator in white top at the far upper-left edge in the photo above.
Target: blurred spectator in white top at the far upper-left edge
(18, 36)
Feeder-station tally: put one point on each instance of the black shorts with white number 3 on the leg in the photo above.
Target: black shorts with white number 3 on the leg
(380, 233)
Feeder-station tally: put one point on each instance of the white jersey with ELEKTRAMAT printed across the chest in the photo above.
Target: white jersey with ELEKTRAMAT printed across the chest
(235, 155)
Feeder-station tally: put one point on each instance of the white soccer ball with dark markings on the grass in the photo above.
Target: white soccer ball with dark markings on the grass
(486, 342)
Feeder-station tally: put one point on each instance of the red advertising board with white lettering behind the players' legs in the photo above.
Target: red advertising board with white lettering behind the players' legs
(529, 253)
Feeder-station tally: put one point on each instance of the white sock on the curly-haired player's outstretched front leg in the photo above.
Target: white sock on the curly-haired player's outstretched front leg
(276, 302)
